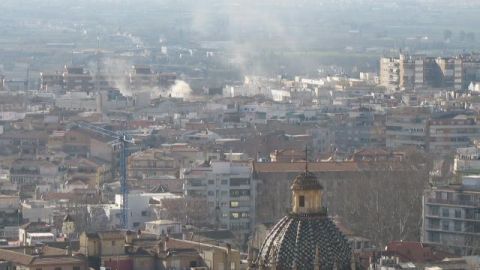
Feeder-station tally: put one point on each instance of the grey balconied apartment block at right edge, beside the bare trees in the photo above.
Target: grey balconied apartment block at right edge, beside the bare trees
(451, 216)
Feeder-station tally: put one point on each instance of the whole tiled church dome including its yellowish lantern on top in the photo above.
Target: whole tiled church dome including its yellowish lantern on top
(306, 238)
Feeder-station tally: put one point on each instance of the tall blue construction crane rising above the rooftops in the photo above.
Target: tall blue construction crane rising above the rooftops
(121, 139)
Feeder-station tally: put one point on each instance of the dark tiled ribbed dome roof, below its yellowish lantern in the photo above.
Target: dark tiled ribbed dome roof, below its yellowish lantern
(295, 239)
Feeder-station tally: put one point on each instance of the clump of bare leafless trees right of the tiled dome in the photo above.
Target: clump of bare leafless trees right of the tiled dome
(386, 205)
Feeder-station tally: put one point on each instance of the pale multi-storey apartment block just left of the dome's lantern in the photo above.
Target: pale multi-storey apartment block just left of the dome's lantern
(229, 189)
